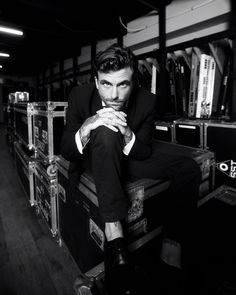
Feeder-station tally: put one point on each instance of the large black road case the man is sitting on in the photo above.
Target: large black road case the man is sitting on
(80, 227)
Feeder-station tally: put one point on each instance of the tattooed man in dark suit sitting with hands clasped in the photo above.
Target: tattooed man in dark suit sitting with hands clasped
(109, 132)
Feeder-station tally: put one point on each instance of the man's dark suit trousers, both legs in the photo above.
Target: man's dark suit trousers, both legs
(110, 168)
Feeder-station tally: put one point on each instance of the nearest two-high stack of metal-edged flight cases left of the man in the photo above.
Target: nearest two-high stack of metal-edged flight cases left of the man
(48, 123)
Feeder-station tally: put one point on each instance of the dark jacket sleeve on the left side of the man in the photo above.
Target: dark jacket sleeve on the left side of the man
(68, 146)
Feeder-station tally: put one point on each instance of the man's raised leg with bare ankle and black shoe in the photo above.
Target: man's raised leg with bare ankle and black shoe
(106, 151)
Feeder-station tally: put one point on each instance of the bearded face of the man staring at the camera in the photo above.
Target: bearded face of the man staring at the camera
(115, 88)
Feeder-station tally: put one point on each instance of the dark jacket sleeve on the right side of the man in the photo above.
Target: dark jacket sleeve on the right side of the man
(142, 147)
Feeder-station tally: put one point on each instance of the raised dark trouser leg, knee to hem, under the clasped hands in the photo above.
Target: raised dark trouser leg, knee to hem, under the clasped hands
(106, 166)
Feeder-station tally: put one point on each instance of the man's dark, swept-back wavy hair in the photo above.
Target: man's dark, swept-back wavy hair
(114, 58)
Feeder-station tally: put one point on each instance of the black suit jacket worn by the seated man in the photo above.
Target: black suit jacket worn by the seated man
(84, 101)
